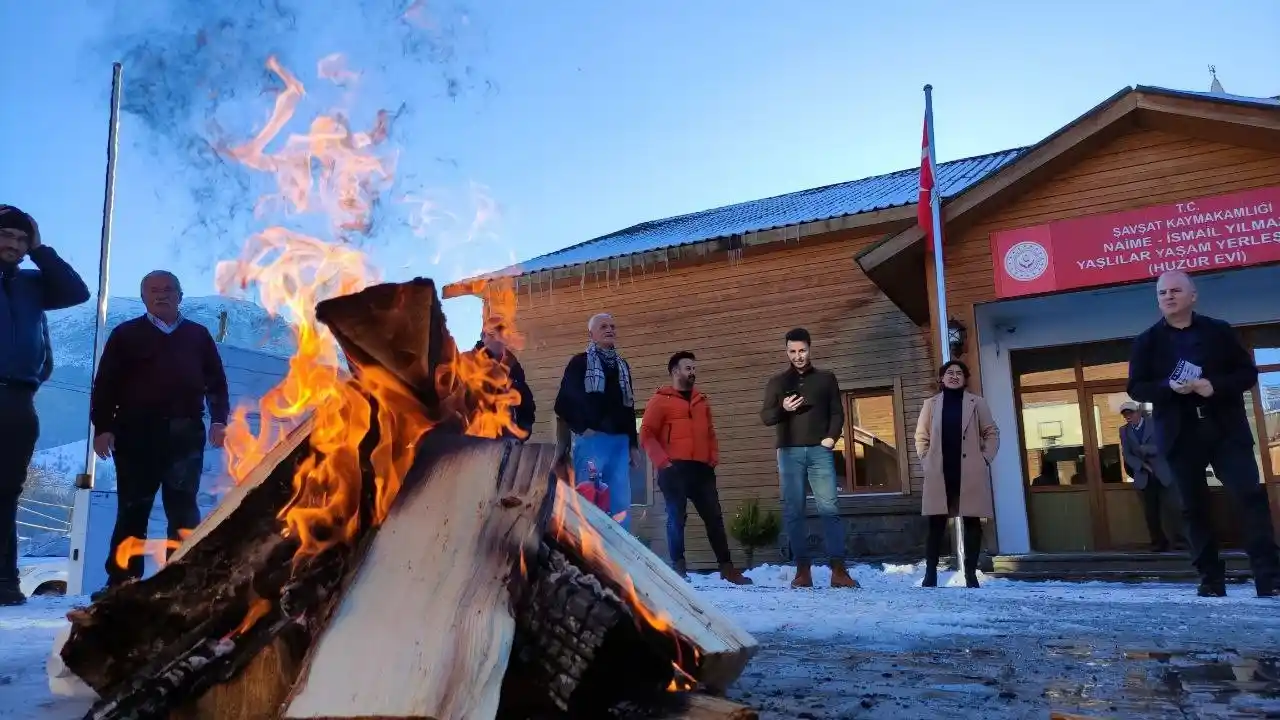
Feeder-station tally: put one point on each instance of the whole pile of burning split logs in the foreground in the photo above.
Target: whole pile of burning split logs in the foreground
(380, 564)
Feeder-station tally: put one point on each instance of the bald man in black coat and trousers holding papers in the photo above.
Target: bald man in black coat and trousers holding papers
(1195, 371)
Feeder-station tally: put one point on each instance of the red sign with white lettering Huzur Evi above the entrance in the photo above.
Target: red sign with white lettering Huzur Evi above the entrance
(1210, 234)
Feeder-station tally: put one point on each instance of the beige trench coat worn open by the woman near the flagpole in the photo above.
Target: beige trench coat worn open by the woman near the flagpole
(979, 445)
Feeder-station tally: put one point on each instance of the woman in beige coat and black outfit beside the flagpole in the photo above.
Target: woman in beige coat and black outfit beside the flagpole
(956, 440)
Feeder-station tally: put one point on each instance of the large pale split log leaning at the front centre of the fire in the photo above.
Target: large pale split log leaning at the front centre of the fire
(427, 627)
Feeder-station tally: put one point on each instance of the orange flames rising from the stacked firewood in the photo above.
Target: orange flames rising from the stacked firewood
(341, 174)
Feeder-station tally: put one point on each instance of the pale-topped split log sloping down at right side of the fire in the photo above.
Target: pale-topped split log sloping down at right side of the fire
(666, 601)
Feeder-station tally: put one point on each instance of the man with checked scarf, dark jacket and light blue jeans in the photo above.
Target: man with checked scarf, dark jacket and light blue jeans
(597, 418)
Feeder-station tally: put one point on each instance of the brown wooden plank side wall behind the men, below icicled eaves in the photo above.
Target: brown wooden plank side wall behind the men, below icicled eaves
(734, 316)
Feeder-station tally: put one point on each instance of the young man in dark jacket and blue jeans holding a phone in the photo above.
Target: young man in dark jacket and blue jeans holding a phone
(804, 407)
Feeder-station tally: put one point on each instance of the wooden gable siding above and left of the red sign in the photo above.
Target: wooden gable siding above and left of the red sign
(1137, 170)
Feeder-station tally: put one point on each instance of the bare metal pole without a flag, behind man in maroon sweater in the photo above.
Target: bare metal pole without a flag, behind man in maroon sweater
(85, 482)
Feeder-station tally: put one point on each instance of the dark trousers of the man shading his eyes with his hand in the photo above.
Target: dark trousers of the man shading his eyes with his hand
(20, 430)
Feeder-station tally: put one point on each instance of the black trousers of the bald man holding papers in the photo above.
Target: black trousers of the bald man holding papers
(1200, 445)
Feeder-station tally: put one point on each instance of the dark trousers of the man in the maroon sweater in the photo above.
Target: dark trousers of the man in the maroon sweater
(156, 455)
